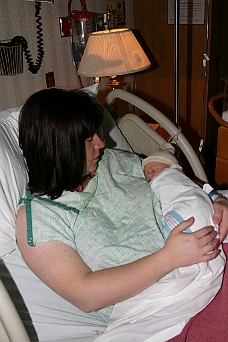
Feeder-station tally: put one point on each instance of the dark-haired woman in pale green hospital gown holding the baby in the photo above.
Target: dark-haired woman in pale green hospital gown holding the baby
(97, 243)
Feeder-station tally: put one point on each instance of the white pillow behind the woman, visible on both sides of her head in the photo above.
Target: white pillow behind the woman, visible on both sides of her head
(13, 171)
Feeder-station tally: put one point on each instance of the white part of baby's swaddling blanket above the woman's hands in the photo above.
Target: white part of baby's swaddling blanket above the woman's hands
(177, 193)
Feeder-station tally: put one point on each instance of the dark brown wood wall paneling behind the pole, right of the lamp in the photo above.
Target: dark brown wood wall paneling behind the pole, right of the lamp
(157, 84)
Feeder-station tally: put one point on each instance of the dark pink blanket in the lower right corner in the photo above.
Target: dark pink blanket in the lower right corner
(211, 324)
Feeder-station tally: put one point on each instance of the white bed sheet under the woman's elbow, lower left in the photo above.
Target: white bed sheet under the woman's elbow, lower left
(46, 316)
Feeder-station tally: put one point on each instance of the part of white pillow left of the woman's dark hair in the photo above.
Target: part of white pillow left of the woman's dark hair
(13, 179)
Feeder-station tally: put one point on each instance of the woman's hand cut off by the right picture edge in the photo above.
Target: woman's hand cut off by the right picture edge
(220, 216)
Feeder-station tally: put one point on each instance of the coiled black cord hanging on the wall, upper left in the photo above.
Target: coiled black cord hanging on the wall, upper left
(32, 67)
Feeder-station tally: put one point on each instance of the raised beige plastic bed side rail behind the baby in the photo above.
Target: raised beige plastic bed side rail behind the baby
(145, 140)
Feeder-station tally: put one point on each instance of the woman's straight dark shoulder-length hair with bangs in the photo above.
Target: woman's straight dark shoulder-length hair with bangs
(53, 127)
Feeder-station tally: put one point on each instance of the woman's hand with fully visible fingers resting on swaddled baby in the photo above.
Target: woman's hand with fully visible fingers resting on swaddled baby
(186, 249)
